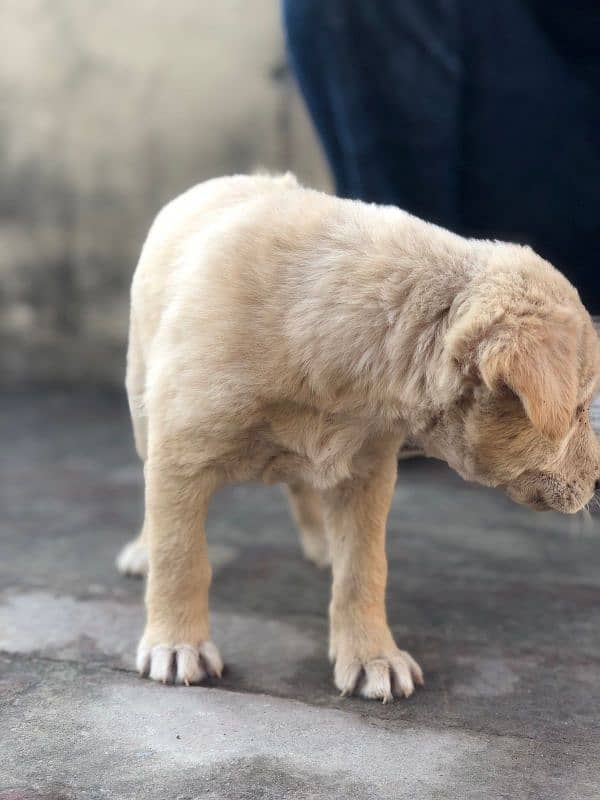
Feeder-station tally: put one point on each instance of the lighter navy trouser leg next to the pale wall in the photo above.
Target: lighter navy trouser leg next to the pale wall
(381, 81)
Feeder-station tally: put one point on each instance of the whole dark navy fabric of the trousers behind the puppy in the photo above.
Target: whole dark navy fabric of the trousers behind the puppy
(480, 115)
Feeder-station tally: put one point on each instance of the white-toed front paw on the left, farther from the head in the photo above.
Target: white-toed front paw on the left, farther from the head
(181, 663)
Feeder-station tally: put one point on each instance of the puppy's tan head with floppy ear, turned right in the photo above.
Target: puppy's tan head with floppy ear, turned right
(522, 362)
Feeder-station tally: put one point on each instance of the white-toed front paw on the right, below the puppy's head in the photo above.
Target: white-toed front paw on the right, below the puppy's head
(394, 674)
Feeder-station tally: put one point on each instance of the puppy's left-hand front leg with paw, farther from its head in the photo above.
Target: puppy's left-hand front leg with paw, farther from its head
(176, 643)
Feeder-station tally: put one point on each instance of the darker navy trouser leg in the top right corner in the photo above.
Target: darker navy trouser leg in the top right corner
(531, 131)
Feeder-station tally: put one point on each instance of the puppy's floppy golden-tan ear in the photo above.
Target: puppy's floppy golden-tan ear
(537, 359)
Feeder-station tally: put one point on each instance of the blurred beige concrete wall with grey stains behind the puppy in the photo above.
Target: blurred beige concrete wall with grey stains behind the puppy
(109, 109)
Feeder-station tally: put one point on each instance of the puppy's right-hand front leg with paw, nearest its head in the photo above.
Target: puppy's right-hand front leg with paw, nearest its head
(361, 643)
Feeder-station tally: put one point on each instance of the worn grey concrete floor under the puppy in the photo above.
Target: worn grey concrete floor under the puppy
(501, 606)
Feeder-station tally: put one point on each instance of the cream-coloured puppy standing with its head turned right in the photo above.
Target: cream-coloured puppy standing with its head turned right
(284, 334)
